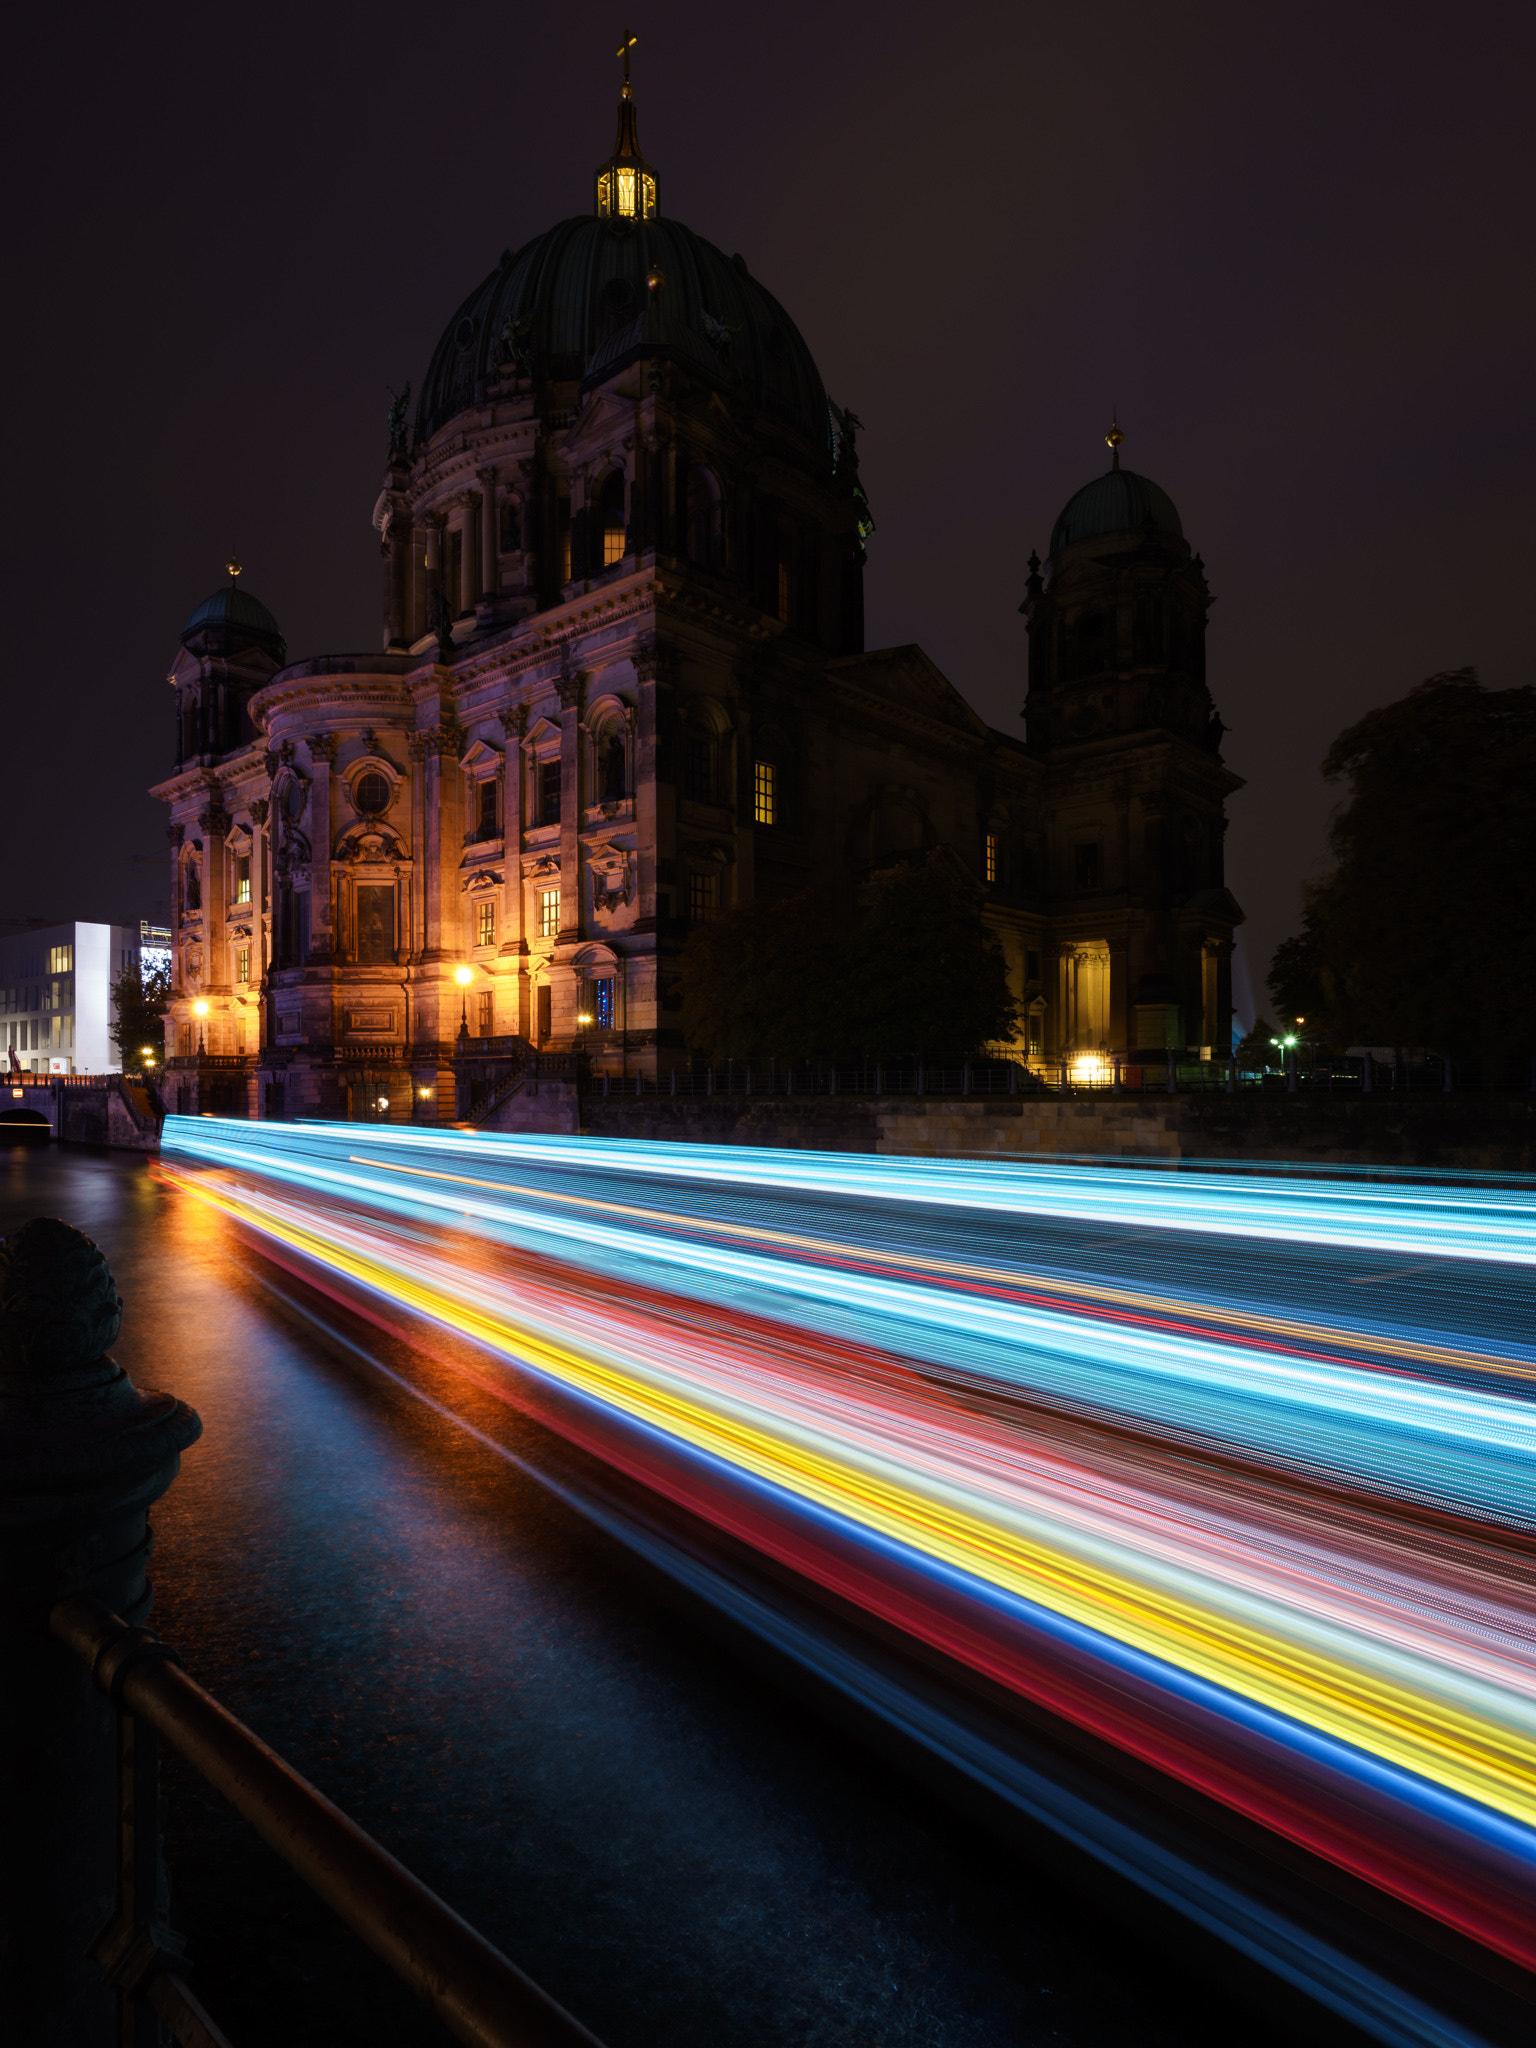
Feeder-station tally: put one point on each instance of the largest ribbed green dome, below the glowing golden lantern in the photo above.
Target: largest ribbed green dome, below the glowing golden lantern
(593, 296)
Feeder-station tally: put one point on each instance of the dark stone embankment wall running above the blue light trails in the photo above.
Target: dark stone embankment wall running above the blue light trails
(1428, 1132)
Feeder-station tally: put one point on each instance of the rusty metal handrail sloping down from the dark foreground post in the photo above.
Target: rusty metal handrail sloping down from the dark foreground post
(470, 1986)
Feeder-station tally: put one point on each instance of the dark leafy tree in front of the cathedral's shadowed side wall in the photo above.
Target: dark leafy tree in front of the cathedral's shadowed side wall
(916, 974)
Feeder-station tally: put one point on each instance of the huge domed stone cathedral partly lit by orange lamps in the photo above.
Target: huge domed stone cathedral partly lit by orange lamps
(624, 687)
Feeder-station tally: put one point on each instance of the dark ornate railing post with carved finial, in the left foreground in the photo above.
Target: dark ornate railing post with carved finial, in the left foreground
(83, 1457)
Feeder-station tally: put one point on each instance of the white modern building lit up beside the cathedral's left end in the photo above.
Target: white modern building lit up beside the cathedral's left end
(56, 994)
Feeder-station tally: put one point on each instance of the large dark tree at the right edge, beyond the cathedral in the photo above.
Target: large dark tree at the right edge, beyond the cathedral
(1424, 933)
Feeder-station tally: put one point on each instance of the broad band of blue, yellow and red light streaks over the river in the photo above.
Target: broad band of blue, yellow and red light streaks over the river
(1281, 1555)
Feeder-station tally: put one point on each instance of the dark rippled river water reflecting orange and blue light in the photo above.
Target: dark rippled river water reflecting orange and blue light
(675, 1844)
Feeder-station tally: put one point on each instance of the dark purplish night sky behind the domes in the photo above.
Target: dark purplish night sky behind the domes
(1293, 245)
